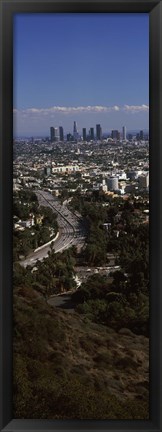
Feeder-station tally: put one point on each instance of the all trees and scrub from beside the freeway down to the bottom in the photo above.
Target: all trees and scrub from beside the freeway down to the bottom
(92, 363)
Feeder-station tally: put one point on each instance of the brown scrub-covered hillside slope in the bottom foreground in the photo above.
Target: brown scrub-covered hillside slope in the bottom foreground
(66, 366)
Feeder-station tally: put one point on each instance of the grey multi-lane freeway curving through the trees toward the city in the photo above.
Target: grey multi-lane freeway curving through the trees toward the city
(71, 229)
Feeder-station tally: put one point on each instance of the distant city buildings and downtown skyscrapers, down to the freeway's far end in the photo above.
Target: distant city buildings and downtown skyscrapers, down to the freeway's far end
(117, 163)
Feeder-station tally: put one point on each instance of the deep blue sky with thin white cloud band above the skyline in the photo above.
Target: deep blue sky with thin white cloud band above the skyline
(92, 68)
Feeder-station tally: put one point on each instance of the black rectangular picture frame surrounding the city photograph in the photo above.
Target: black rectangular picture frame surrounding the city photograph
(7, 9)
